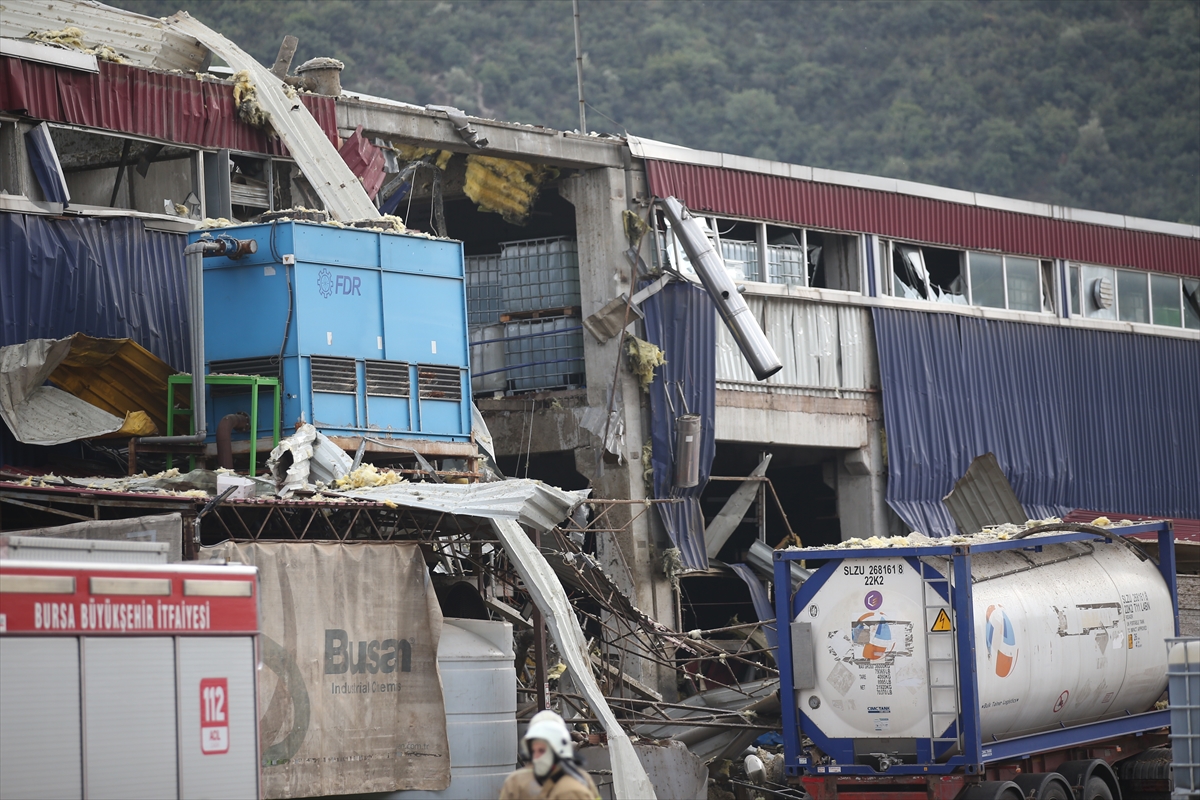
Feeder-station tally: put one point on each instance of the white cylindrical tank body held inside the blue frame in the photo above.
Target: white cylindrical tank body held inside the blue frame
(1067, 636)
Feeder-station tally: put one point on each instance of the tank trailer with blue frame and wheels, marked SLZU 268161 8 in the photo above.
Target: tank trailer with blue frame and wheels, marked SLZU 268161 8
(999, 667)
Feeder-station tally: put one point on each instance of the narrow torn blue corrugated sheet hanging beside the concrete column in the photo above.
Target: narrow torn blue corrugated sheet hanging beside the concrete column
(682, 322)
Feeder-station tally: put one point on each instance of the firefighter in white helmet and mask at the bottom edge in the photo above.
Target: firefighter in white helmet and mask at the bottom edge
(554, 773)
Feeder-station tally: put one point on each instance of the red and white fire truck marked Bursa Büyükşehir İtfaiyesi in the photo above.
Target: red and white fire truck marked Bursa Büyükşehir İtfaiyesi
(128, 681)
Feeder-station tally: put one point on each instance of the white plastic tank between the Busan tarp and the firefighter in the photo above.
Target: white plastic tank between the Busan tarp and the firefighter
(479, 684)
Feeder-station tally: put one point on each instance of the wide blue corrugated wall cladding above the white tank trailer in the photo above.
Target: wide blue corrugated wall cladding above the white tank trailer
(1078, 419)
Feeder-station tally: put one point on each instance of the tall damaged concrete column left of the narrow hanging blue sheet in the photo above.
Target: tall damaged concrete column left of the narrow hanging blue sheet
(633, 557)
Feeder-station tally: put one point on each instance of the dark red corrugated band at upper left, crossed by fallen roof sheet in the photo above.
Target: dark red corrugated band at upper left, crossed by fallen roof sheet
(124, 99)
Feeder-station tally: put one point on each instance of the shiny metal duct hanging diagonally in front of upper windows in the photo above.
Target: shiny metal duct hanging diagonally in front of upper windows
(730, 305)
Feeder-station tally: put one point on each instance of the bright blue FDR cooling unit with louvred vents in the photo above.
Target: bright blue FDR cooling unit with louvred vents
(368, 330)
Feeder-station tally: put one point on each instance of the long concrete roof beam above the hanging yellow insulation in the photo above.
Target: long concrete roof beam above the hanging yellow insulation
(505, 140)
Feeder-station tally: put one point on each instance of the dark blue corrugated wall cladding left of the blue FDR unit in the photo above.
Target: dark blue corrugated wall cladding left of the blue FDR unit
(103, 278)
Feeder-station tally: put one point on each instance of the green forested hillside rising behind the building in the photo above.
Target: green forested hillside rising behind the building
(1094, 105)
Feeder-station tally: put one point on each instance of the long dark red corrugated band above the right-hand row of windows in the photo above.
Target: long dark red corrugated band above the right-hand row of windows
(941, 222)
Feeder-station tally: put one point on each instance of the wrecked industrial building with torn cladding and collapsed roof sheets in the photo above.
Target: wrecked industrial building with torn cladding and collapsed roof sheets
(560, 395)
